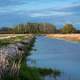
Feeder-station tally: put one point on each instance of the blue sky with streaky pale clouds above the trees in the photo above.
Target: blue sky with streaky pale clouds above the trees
(58, 12)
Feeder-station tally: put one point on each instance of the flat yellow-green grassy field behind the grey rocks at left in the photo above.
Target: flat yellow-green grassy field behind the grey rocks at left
(6, 39)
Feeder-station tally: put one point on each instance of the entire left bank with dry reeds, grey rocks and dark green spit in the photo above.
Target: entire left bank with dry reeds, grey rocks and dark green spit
(14, 55)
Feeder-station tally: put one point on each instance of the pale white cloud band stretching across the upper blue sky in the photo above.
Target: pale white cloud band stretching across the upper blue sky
(28, 10)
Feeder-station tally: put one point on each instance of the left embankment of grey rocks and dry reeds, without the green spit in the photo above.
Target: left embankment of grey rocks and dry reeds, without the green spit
(11, 56)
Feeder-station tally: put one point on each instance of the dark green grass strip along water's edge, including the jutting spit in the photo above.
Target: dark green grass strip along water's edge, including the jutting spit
(33, 73)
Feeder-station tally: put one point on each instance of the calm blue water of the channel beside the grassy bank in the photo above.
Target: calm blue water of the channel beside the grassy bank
(59, 54)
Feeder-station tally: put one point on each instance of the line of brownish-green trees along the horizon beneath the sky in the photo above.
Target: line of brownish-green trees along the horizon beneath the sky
(39, 28)
